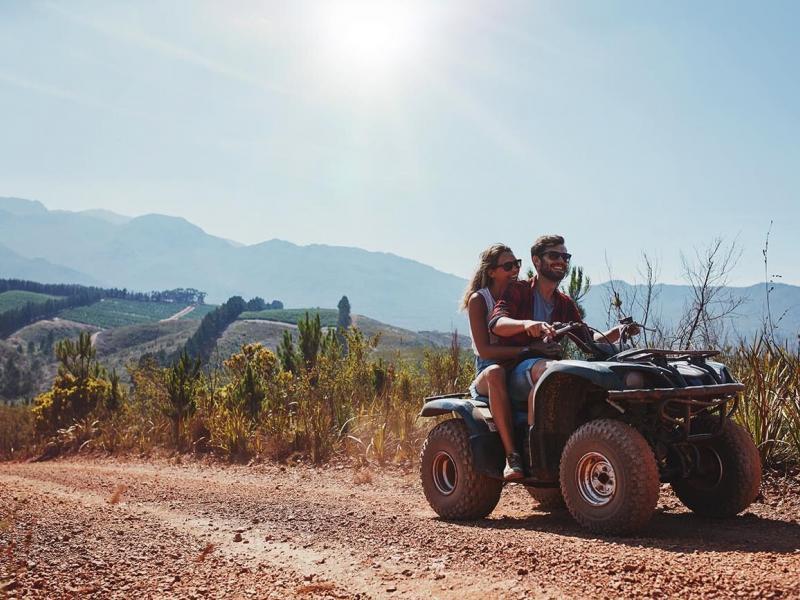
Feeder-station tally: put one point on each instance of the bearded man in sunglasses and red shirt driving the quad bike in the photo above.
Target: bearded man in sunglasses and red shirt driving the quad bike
(527, 309)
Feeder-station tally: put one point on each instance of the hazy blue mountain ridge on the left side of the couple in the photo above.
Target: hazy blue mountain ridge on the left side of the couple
(159, 252)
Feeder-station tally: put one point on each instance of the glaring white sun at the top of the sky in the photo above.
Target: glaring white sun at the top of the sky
(372, 40)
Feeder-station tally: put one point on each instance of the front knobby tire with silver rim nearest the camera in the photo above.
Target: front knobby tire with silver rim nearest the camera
(609, 477)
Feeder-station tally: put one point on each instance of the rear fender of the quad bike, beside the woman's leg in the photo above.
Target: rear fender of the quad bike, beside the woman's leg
(487, 450)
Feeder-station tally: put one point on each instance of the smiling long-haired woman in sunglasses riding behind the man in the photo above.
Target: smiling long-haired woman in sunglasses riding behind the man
(498, 266)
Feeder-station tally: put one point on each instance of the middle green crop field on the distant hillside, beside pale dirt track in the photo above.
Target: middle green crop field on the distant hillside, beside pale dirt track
(111, 312)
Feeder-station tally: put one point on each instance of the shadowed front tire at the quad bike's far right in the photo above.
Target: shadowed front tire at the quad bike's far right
(731, 473)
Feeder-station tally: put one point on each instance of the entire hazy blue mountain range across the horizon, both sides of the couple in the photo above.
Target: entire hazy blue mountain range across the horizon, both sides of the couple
(99, 247)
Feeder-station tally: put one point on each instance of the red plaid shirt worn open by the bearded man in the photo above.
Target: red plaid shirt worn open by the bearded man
(517, 303)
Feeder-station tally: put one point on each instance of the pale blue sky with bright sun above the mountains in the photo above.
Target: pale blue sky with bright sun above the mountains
(429, 129)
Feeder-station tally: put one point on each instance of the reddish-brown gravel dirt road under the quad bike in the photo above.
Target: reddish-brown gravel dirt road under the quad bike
(124, 529)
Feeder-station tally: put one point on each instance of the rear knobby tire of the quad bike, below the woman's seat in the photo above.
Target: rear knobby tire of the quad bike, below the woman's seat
(452, 486)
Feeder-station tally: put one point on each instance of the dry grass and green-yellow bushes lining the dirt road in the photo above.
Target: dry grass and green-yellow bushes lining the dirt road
(325, 394)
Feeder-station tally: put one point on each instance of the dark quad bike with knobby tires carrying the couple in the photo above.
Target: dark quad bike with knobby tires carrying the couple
(606, 433)
